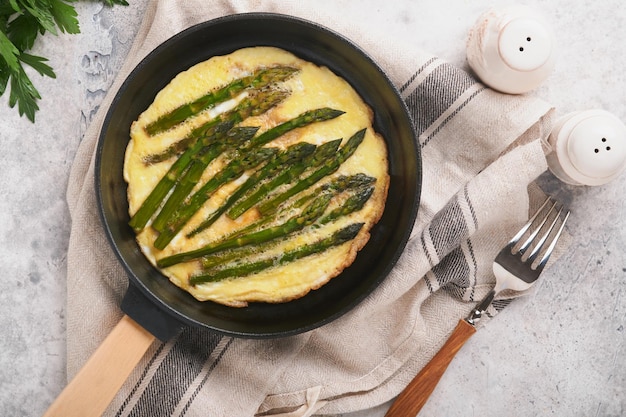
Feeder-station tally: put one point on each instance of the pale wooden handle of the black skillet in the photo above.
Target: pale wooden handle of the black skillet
(96, 384)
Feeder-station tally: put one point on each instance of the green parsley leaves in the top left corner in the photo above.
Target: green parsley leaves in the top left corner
(21, 21)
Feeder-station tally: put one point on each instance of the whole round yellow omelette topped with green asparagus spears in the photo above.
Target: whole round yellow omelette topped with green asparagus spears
(255, 177)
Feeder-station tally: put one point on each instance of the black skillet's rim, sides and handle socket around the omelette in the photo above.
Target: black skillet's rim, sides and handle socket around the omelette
(162, 308)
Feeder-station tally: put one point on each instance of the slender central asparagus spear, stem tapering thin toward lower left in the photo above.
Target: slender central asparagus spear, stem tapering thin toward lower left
(284, 159)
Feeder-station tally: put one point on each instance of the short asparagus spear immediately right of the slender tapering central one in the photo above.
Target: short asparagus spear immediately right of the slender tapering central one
(322, 154)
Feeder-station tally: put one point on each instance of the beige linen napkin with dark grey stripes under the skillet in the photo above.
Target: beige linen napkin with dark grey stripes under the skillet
(480, 151)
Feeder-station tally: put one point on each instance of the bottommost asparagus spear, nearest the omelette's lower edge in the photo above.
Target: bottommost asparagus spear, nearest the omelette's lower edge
(339, 237)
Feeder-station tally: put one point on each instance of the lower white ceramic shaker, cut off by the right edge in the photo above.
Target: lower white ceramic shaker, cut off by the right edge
(588, 148)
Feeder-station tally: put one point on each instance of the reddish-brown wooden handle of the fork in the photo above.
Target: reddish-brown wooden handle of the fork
(412, 399)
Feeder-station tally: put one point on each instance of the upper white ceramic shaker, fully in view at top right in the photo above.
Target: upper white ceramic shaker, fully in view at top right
(511, 49)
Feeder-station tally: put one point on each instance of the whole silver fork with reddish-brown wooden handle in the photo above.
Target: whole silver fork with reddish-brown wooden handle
(515, 269)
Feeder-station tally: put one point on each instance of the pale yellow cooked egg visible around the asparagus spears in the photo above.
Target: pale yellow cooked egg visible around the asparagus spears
(312, 87)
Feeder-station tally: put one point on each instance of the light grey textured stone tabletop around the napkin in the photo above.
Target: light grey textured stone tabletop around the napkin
(560, 351)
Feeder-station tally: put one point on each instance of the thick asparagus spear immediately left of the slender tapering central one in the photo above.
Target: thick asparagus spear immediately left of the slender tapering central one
(233, 170)
